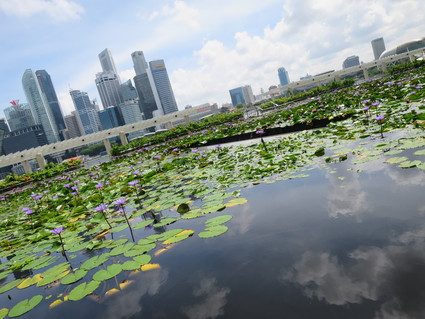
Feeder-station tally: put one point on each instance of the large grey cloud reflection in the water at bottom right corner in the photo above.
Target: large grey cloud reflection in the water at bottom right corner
(391, 274)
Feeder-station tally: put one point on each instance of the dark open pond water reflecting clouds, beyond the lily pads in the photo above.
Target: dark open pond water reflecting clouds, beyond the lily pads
(345, 242)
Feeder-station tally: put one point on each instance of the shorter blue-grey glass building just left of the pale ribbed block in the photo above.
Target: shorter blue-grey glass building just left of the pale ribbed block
(87, 112)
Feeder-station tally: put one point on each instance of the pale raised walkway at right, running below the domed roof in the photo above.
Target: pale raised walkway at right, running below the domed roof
(336, 75)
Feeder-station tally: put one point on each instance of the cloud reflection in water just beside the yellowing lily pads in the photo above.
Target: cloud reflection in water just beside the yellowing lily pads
(127, 304)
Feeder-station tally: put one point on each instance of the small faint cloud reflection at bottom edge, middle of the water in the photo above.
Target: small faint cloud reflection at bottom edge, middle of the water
(215, 298)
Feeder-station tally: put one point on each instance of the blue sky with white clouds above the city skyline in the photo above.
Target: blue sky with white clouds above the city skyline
(209, 46)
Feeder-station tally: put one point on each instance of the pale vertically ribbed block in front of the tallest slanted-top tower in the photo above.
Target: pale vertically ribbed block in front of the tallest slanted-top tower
(108, 86)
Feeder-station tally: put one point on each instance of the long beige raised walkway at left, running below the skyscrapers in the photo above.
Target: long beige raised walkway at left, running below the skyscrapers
(38, 153)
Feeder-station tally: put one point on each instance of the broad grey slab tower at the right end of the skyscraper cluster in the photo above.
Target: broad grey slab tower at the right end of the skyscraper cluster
(163, 86)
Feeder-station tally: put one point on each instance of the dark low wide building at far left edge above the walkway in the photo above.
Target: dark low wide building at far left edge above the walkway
(23, 139)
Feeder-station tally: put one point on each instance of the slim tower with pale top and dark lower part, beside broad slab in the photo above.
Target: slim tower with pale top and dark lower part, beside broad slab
(145, 86)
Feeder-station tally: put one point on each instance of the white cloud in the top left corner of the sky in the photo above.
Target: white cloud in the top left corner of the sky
(57, 10)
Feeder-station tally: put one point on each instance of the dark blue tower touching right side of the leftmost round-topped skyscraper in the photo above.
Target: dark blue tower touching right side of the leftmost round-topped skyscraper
(48, 89)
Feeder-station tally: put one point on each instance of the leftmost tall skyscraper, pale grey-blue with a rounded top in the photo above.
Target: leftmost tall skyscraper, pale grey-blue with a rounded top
(40, 108)
